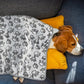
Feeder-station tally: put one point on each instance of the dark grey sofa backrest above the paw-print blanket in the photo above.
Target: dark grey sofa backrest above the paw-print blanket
(37, 8)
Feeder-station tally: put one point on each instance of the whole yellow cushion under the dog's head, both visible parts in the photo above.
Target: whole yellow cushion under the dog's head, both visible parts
(55, 59)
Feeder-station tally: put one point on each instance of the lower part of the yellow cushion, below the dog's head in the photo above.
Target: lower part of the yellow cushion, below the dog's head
(56, 60)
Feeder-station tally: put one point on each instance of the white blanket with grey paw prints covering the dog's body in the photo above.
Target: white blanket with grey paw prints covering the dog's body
(24, 41)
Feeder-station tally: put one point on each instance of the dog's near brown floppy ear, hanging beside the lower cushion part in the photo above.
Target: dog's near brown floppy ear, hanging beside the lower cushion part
(61, 44)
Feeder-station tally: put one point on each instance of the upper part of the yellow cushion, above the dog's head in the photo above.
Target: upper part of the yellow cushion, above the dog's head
(55, 21)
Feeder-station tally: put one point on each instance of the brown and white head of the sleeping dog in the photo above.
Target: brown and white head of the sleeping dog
(65, 40)
